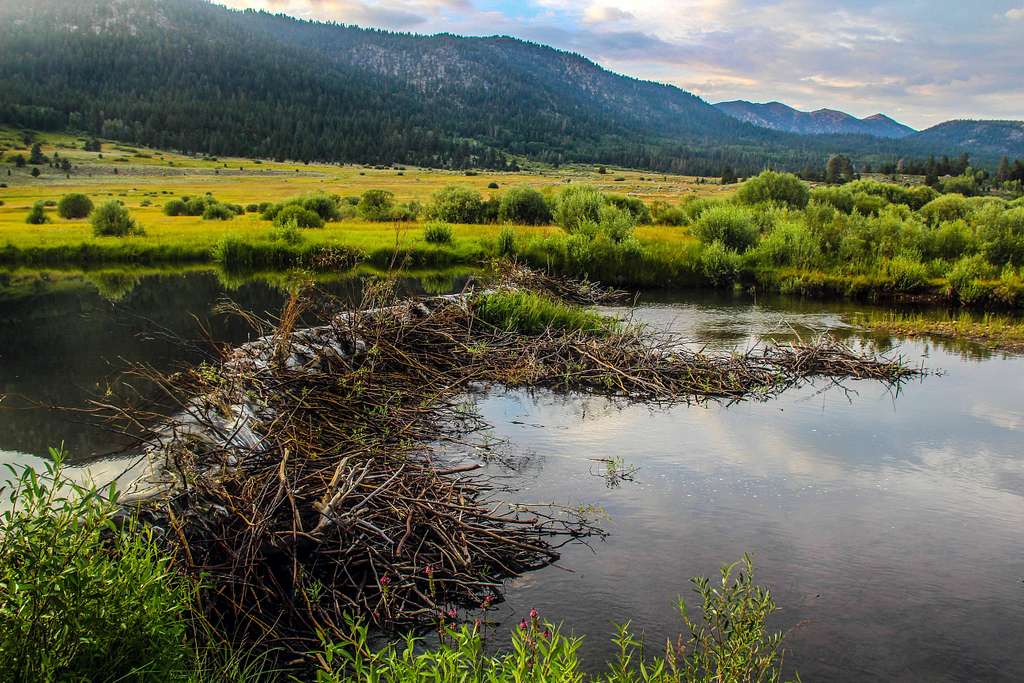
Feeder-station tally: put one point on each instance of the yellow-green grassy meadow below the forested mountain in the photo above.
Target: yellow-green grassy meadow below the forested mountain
(145, 180)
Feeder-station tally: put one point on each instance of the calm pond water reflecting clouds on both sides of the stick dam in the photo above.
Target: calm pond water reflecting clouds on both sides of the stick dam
(887, 525)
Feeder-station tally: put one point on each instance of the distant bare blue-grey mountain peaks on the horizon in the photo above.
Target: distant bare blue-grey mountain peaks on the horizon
(778, 116)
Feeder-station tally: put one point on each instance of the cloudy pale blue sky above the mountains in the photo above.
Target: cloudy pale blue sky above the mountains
(921, 62)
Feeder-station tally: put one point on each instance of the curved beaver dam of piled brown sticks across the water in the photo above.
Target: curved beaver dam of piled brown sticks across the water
(303, 473)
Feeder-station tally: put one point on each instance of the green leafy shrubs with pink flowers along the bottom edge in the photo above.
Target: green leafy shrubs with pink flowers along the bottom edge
(730, 641)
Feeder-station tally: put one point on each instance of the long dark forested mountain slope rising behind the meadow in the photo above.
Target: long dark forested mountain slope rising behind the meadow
(197, 77)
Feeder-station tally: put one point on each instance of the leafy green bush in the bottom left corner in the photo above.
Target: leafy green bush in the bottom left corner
(79, 603)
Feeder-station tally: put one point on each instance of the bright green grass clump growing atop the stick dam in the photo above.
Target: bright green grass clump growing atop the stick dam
(532, 314)
